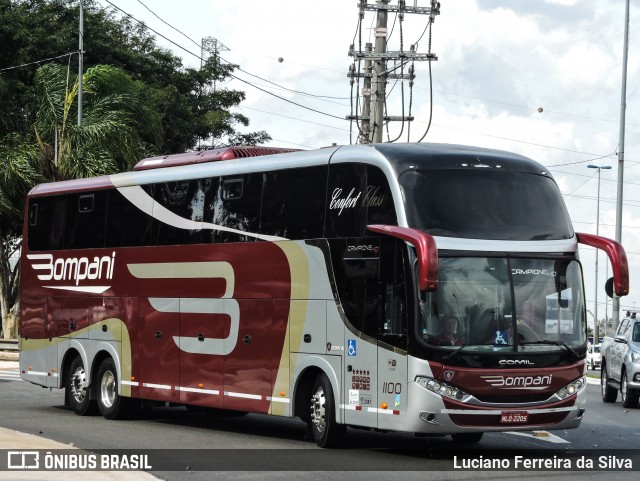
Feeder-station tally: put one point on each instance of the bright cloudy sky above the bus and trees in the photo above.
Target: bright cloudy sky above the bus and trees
(542, 78)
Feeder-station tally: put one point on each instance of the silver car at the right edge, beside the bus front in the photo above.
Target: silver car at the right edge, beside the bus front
(621, 363)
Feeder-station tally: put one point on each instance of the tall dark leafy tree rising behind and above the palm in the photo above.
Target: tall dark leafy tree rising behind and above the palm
(190, 109)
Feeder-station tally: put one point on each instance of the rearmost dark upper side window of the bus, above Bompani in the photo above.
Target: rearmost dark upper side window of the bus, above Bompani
(46, 223)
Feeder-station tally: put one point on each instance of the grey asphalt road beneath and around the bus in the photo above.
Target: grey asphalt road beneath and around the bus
(263, 447)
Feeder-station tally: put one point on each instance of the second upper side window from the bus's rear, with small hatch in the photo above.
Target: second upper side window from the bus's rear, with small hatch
(86, 220)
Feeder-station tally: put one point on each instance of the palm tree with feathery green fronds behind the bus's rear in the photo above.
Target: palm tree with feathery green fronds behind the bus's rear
(120, 126)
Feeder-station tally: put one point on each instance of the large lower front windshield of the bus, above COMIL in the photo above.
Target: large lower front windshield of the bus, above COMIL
(494, 303)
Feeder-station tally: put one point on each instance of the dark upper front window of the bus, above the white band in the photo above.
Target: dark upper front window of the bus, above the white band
(485, 205)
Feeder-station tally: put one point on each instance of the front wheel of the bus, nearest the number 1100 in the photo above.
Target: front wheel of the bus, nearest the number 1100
(327, 433)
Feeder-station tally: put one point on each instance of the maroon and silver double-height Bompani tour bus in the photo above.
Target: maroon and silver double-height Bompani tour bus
(424, 288)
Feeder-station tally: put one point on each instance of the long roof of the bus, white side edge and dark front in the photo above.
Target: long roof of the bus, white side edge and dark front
(230, 161)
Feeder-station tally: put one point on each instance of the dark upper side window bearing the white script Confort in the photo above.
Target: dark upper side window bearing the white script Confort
(358, 195)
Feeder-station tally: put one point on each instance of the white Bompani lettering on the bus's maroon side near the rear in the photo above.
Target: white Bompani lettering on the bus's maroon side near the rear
(72, 268)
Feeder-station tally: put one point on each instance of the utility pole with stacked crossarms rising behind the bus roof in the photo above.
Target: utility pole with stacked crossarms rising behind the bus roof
(377, 74)
